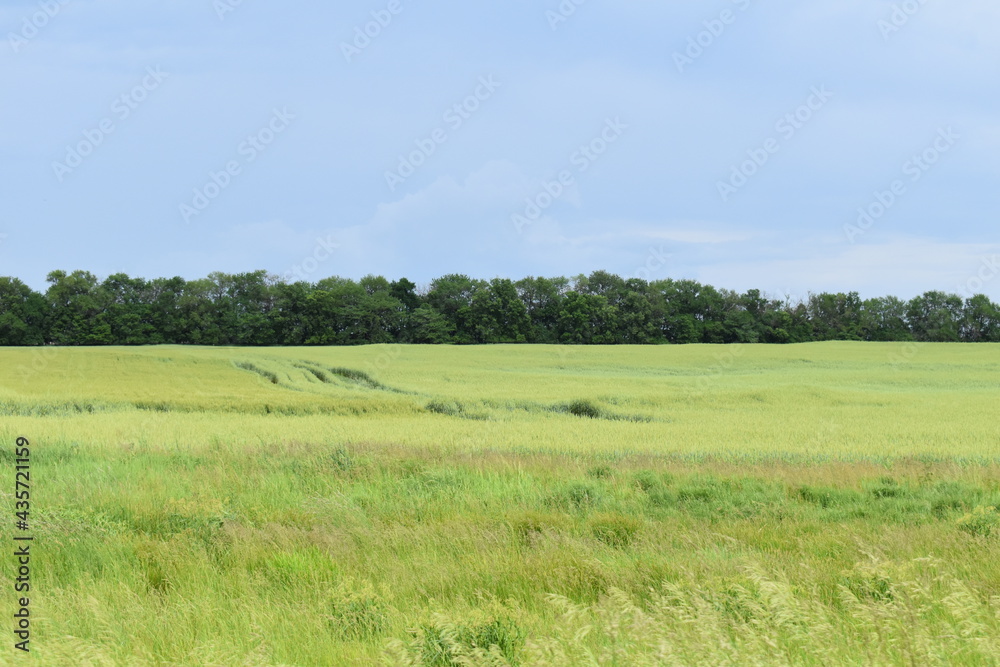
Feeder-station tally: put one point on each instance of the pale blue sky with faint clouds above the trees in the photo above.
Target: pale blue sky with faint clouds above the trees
(791, 147)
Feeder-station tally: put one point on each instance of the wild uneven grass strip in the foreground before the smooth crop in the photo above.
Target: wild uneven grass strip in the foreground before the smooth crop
(310, 555)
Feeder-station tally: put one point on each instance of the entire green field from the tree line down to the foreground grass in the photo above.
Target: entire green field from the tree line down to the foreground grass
(810, 504)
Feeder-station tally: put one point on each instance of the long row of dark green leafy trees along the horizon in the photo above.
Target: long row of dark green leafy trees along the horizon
(258, 309)
